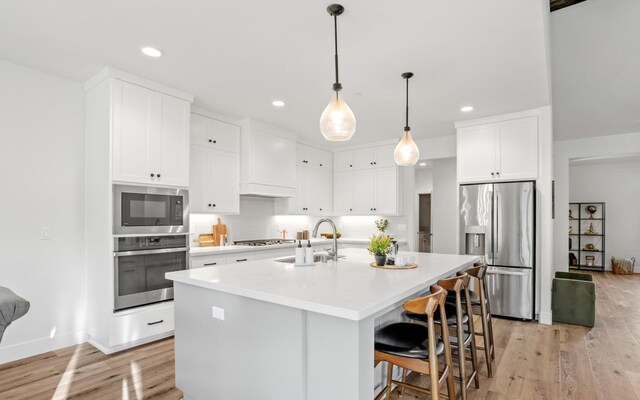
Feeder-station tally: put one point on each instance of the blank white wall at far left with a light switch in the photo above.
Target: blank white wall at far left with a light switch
(41, 164)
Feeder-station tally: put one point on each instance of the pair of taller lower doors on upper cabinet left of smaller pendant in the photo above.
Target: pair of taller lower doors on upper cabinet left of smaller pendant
(368, 192)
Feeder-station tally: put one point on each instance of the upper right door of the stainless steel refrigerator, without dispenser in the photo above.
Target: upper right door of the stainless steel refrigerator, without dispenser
(514, 224)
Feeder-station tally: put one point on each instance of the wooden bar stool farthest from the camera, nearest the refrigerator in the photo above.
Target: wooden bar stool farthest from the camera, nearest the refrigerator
(480, 303)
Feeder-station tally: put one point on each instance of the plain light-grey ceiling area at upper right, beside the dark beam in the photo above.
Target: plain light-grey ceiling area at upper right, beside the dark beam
(595, 69)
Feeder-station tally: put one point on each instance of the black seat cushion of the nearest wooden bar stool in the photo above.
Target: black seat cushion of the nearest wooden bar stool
(405, 339)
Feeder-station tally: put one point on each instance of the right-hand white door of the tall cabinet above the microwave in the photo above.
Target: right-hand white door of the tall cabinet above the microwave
(173, 158)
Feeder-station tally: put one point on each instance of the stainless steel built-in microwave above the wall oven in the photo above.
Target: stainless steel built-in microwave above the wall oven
(150, 210)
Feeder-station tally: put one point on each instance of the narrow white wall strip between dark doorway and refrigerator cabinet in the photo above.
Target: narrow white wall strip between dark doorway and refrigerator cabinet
(444, 206)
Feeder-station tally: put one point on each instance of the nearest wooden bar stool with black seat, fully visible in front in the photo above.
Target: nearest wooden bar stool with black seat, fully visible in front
(417, 347)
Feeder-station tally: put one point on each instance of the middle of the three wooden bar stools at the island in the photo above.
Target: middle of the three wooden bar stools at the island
(460, 321)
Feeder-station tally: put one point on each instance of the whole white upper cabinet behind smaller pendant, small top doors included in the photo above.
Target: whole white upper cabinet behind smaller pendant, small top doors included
(366, 182)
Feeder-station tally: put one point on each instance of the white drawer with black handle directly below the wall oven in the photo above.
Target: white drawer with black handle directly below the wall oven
(138, 325)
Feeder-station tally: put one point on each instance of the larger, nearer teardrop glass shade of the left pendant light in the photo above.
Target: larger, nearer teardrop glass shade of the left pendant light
(337, 122)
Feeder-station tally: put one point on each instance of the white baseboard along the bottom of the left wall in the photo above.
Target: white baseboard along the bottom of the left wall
(34, 347)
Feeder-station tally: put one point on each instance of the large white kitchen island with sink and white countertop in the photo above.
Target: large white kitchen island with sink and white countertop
(269, 330)
